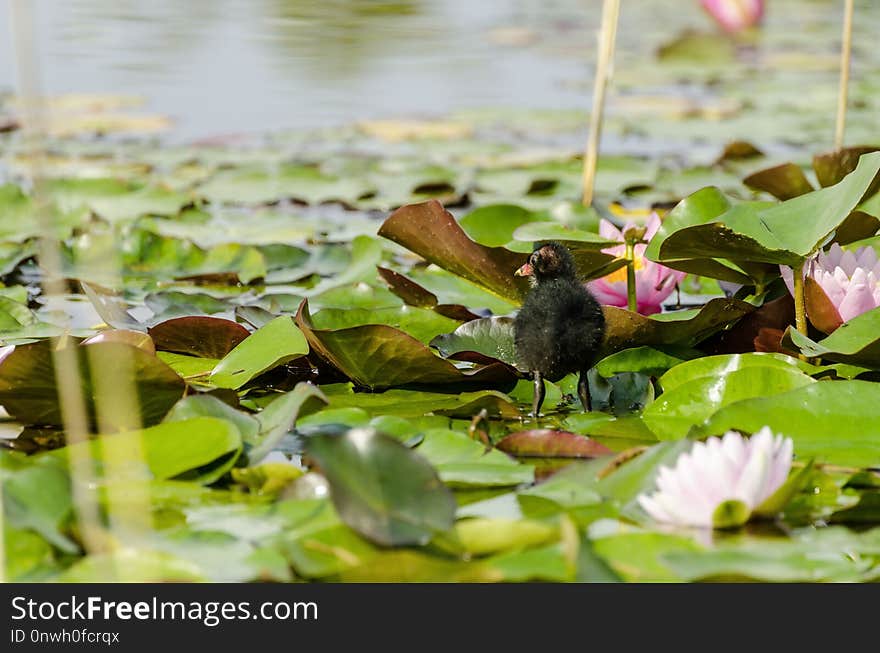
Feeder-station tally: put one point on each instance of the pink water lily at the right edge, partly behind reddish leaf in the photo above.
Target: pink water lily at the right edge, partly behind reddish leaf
(839, 285)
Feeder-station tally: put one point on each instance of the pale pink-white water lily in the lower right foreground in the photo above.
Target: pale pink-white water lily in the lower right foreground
(720, 470)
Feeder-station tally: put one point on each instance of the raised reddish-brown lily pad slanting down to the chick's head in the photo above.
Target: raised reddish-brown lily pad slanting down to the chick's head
(432, 232)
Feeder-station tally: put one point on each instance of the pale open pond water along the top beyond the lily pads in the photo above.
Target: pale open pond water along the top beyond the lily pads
(230, 66)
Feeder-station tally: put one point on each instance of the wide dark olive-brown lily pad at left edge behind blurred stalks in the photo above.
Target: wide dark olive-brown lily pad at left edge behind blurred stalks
(29, 391)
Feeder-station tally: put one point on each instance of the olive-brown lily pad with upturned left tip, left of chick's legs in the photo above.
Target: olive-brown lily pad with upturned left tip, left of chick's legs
(377, 356)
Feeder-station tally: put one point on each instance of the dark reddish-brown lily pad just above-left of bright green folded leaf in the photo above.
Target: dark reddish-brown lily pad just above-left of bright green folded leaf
(198, 335)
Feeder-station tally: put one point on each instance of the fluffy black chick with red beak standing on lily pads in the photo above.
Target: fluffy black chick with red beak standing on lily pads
(560, 326)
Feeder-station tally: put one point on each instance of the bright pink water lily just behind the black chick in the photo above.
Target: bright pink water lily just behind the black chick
(654, 282)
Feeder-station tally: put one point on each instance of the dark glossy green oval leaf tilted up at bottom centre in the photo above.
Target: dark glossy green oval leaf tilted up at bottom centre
(382, 489)
